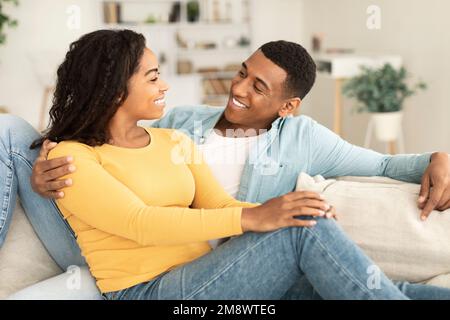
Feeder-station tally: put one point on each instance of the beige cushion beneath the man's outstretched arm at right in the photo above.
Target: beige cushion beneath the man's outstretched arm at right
(381, 216)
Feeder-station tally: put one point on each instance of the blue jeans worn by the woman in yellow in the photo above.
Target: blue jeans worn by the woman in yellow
(267, 265)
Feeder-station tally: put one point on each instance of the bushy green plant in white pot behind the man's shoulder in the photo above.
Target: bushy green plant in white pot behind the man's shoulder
(382, 92)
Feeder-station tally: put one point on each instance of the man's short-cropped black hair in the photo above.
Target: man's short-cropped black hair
(296, 61)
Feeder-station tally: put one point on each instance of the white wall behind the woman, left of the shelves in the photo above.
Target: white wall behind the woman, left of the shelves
(43, 35)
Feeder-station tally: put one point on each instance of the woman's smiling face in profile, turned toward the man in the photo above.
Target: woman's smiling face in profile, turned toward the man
(146, 90)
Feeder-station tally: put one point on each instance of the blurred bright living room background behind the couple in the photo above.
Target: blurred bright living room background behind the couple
(404, 44)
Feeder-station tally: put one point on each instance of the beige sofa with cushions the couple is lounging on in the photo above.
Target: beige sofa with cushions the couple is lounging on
(379, 214)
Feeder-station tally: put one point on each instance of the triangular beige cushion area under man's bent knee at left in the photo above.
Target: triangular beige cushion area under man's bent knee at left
(23, 259)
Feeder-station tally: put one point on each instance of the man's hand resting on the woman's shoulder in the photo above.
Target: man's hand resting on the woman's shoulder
(45, 174)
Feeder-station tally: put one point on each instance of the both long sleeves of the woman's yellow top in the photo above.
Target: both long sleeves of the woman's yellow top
(101, 201)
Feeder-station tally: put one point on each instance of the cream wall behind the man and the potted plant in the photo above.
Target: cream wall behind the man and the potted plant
(419, 31)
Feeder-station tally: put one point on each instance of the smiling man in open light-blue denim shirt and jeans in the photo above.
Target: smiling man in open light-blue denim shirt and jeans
(256, 129)
